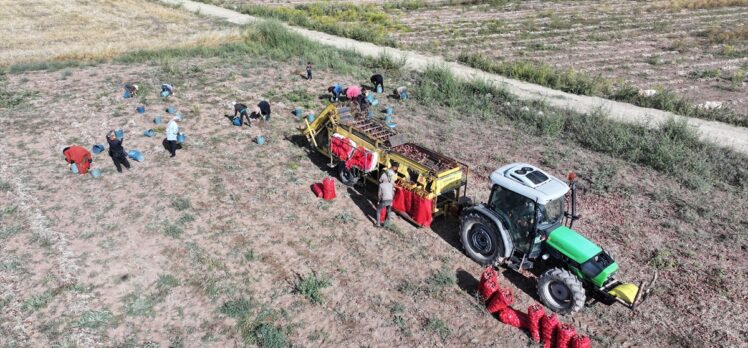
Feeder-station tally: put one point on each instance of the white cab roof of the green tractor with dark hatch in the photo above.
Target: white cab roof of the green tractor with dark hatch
(529, 181)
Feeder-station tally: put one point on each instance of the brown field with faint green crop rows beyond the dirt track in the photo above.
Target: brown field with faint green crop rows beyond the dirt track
(646, 43)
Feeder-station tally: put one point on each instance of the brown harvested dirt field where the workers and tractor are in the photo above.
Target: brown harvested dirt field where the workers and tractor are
(207, 249)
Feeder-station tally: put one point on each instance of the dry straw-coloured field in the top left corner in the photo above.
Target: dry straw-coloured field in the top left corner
(47, 30)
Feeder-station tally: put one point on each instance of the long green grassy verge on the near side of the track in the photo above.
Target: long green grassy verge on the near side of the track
(673, 148)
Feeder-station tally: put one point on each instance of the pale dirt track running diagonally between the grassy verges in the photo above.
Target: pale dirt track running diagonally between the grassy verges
(711, 131)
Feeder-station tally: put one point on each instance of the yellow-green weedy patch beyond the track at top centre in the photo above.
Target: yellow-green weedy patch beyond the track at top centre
(363, 22)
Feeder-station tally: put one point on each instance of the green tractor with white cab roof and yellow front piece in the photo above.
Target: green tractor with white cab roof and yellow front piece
(525, 226)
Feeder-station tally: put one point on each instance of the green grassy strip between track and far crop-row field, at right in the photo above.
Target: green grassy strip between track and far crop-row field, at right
(583, 84)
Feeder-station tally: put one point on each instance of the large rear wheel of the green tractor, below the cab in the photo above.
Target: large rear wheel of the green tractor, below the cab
(481, 239)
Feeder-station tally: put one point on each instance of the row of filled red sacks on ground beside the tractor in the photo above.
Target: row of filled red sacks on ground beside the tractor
(542, 326)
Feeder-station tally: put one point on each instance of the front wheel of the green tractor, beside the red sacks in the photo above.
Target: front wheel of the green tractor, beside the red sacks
(561, 291)
